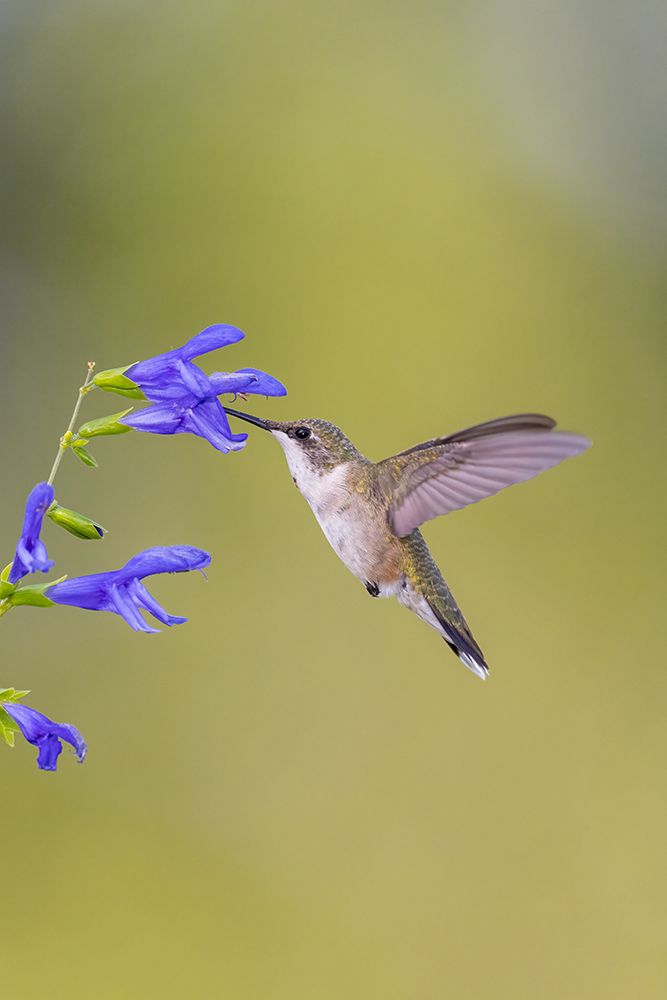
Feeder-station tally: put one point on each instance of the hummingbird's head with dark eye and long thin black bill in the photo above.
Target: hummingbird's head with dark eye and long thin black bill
(312, 447)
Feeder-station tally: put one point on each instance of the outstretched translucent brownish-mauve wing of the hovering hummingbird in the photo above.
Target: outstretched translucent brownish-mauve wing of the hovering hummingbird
(449, 473)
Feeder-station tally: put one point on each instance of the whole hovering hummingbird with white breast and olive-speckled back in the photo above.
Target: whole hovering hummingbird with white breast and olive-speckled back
(370, 512)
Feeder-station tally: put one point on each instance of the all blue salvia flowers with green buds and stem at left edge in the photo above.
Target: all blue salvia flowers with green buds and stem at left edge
(182, 399)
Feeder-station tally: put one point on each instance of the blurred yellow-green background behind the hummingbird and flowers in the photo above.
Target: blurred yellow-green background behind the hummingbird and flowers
(423, 215)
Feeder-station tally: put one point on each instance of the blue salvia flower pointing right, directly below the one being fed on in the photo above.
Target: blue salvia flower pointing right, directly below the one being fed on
(122, 592)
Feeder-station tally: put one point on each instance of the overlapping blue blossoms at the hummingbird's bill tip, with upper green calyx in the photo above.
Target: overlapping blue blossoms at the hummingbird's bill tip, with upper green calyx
(184, 398)
